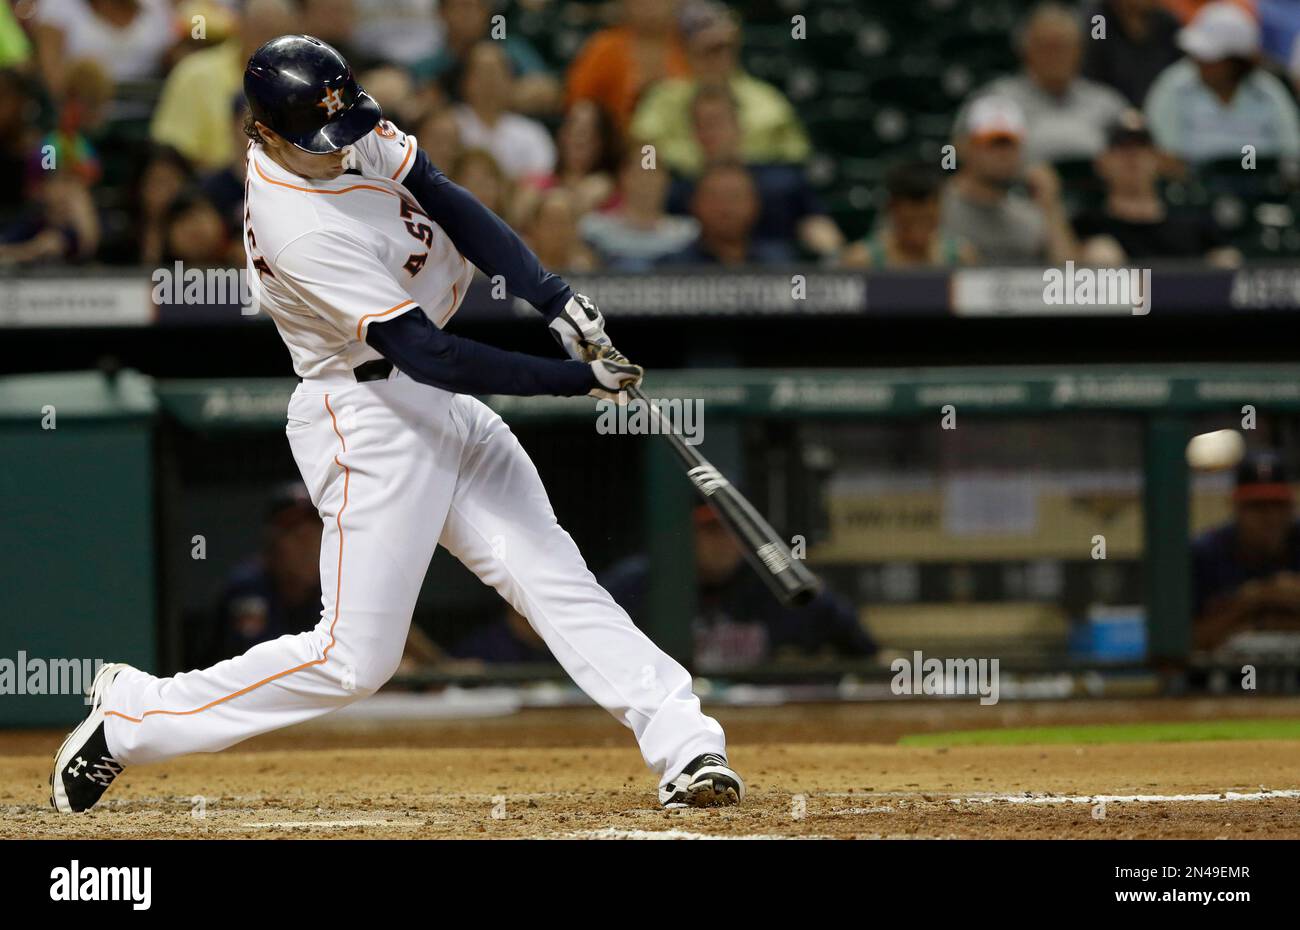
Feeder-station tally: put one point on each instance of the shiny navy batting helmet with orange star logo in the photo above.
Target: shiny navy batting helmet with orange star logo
(305, 90)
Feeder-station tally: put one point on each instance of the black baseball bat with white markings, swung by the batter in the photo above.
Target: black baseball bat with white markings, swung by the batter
(787, 578)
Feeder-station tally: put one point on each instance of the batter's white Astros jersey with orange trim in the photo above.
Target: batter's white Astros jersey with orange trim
(328, 258)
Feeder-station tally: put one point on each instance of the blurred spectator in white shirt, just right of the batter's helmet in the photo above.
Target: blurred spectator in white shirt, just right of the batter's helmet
(521, 145)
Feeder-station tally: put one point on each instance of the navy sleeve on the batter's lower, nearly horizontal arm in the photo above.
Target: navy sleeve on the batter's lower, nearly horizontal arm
(430, 356)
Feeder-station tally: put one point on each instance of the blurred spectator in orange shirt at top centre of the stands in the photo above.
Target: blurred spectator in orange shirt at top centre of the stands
(617, 64)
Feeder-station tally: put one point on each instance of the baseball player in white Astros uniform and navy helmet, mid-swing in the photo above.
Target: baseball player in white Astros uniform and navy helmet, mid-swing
(361, 250)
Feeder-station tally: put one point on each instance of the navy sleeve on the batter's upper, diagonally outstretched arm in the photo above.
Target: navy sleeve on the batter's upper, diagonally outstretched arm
(486, 240)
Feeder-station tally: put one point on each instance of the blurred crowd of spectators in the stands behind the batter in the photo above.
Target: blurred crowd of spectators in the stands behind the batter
(651, 145)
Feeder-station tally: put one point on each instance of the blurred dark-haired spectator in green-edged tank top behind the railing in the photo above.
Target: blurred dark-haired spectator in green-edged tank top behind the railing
(912, 236)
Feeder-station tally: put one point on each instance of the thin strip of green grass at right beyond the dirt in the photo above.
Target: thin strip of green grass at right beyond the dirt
(1115, 733)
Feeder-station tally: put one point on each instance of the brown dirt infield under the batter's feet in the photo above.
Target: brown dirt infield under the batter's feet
(813, 771)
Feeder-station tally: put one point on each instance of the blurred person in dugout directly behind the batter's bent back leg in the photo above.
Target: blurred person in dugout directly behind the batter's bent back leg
(278, 591)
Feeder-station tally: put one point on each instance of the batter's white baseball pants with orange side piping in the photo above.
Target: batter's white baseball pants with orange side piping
(397, 468)
